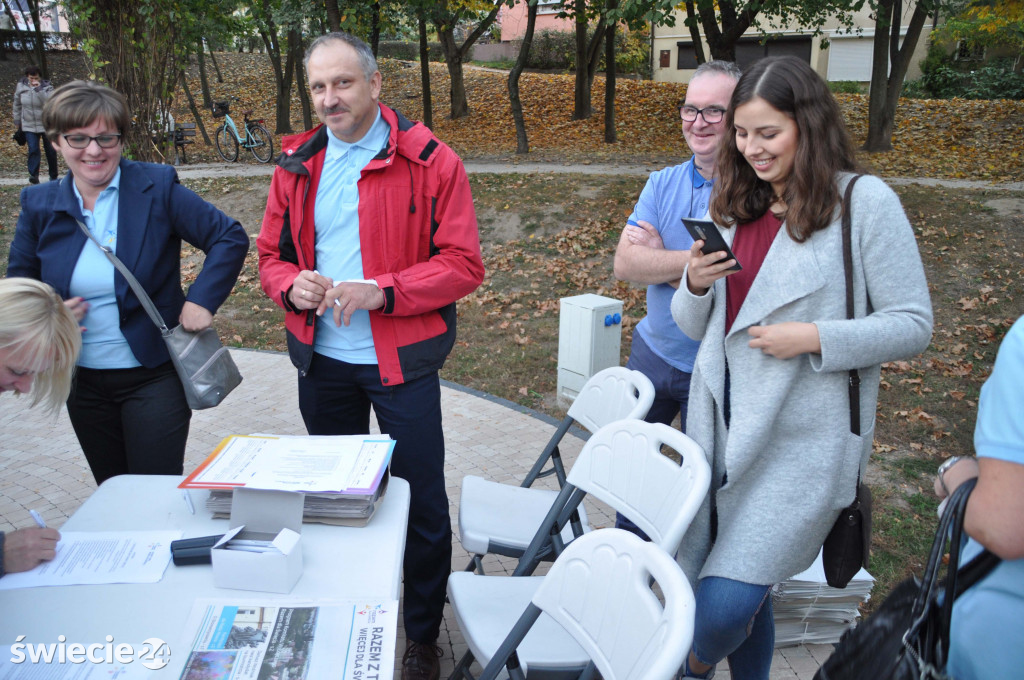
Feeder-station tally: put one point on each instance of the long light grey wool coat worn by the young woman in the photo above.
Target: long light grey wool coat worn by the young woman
(789, 463)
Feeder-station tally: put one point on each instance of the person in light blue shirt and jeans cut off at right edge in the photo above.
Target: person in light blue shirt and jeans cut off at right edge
(987, 636)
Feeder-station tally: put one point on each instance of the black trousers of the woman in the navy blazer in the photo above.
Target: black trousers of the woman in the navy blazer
(131, 421)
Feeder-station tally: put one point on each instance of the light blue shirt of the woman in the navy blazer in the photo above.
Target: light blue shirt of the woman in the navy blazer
(104, 347)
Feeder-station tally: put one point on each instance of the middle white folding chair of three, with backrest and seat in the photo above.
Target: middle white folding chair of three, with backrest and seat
(622, 465)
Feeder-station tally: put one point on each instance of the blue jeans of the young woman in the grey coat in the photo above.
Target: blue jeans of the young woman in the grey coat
(735, 621)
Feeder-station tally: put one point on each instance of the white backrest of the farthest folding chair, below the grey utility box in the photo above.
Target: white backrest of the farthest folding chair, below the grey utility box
(613, 395)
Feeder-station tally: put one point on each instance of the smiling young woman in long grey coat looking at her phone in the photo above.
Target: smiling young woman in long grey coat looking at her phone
(769, 400)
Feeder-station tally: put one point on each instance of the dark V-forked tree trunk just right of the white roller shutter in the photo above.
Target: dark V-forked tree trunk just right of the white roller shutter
(890, 61)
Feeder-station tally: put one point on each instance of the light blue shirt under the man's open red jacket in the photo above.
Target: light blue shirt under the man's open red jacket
(339, 256)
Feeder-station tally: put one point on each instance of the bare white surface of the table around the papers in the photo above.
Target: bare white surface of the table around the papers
(339, 564)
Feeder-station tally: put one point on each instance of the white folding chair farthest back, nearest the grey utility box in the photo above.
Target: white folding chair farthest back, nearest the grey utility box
(502, 519)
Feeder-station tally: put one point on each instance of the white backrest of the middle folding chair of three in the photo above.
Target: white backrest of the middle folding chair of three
(623, 465)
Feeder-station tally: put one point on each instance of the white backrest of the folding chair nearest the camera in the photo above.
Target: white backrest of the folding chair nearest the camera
(599, 590)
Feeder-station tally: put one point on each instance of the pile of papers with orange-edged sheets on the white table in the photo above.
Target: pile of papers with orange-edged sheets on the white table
(344, 478)
